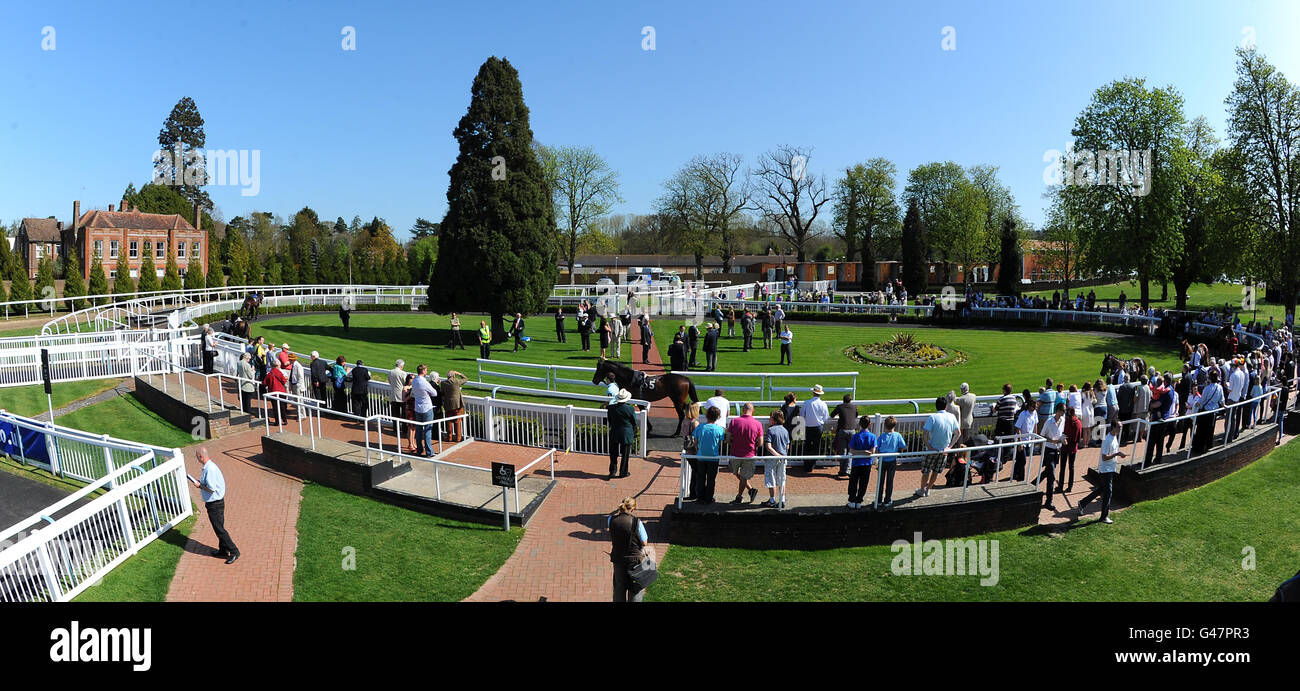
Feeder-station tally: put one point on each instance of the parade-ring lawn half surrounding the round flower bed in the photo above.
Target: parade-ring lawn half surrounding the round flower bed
(1025, 359)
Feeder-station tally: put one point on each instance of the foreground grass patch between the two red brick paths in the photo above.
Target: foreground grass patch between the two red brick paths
(400, 555)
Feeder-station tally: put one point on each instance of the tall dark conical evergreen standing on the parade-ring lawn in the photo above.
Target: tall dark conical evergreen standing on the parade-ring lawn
(497, 242)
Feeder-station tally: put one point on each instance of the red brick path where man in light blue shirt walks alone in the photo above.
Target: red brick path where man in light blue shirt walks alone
(262, 518)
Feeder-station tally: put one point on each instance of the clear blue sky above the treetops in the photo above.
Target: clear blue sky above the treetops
(369, 133)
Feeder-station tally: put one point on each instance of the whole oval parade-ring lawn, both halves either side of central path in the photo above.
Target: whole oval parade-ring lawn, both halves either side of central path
(995, 357)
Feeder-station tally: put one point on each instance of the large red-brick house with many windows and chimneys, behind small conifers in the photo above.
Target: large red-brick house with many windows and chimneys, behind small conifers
(135, 233)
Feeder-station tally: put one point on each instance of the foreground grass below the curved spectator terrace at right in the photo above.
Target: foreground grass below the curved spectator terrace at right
(1181, 549)
